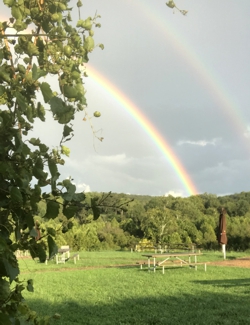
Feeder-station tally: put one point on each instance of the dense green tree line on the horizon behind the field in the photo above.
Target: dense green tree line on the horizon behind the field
(124, 220)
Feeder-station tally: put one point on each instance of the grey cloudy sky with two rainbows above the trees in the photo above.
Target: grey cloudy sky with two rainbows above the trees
(173, 92)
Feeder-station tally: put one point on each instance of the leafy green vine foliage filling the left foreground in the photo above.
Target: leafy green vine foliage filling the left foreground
(44, 44)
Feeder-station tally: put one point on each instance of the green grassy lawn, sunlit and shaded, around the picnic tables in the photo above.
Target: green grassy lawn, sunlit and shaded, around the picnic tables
(93, 292)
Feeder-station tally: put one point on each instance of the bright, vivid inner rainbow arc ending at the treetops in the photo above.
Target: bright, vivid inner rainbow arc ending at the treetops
(149, 128)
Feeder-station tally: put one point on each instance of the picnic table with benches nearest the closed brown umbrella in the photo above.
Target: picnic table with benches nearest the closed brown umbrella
(182, 258)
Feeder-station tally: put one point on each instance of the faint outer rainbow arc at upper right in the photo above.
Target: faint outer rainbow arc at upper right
(204, 73)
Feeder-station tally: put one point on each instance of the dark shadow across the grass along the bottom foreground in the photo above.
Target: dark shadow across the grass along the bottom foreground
(205, 308)
